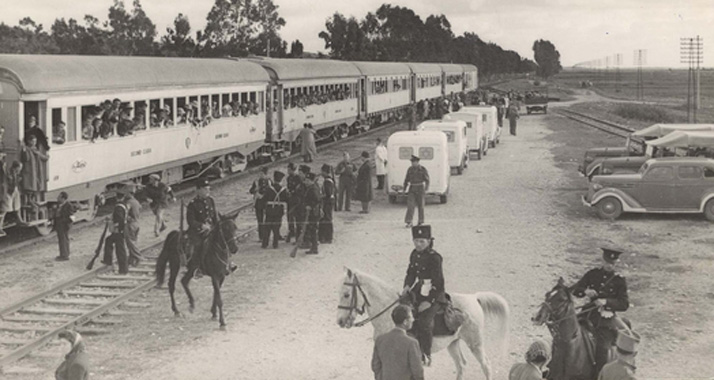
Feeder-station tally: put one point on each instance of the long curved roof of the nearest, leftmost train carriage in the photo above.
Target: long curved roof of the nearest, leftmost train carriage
(66, 73)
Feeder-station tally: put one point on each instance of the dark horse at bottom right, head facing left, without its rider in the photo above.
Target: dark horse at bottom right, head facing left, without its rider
(573, 346)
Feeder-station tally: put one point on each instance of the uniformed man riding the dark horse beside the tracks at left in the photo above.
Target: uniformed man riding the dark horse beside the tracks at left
(201, 216)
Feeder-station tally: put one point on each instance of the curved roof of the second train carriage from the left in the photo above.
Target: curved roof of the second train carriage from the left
(286, 69)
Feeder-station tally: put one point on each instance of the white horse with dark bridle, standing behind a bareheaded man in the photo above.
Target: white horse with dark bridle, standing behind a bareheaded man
(360, 292)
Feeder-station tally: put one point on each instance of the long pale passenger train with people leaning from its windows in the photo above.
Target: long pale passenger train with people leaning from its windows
(191, 115)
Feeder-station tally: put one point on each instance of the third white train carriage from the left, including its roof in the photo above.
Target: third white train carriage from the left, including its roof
(385, 89)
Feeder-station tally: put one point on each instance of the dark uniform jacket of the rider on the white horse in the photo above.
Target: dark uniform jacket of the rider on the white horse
(422, 266)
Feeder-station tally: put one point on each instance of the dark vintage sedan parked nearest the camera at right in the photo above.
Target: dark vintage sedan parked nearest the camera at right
(662, 185)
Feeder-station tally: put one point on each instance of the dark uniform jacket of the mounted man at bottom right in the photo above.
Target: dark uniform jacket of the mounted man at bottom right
(609, 286)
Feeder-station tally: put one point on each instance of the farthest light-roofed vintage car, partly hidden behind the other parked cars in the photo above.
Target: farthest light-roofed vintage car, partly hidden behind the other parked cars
(634, 147)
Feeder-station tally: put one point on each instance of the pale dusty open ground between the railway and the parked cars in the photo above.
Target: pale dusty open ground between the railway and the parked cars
(513, 225)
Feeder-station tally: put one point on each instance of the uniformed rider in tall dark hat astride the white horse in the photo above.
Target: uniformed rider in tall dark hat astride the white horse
(425, 283)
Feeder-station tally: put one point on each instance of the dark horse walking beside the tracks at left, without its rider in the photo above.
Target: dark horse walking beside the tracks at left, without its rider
(221, 243)
